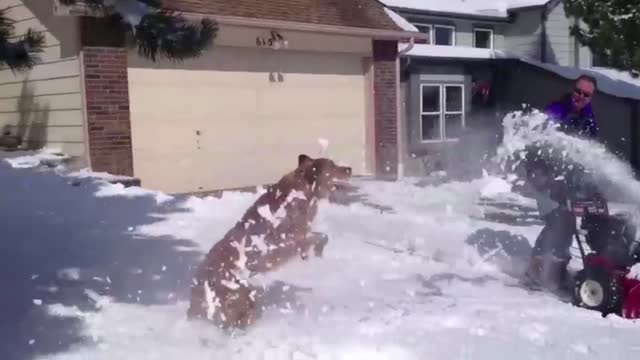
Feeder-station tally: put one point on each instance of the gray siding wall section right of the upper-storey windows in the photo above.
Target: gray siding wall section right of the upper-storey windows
(523, 36)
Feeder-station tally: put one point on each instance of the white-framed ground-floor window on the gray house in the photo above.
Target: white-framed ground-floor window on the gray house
(441, 112)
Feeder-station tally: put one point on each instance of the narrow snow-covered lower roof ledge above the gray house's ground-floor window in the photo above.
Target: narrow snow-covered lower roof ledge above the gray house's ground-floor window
(461, 52)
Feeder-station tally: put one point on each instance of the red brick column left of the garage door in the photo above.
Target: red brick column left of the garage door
(107, 101)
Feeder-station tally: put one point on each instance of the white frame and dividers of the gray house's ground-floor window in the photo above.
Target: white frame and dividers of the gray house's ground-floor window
(442, 112)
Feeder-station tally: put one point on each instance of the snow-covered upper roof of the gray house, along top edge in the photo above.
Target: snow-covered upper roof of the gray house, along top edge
(482, 8)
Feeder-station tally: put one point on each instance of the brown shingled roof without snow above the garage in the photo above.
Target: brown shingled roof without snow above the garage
(353, 13)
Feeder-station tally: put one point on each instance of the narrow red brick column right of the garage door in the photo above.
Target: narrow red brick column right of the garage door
(385, 107)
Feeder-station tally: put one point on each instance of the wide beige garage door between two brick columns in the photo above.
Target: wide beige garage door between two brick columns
(241, 117)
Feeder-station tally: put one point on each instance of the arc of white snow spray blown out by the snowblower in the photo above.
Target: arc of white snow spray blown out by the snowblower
(523, 129)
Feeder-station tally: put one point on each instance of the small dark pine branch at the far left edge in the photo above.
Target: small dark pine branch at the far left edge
(22, 54)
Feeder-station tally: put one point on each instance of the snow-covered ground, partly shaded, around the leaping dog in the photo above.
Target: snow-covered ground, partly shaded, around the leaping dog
(93, 270)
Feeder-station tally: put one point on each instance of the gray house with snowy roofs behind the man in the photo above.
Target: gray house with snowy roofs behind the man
(484, 58)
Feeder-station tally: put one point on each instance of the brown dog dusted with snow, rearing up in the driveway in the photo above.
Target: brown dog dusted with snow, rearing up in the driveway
(273, 231)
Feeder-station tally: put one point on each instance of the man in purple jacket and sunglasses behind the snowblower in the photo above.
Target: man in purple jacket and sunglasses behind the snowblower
(550, 257)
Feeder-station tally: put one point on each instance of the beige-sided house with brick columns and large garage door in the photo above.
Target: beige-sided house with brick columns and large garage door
(284, 77)
